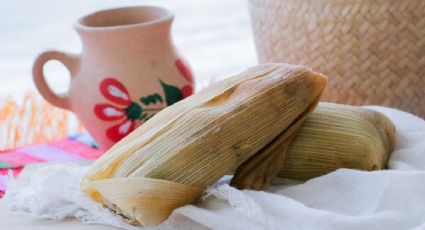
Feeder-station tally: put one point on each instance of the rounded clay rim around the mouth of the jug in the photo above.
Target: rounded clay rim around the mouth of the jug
(80, 26)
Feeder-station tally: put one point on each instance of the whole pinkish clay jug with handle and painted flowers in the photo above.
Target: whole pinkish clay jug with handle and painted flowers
(128, 70)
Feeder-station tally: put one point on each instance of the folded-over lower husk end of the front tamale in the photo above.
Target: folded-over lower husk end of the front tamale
(140, 200)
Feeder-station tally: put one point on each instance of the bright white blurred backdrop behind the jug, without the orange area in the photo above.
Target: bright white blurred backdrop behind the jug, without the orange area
(215, 36)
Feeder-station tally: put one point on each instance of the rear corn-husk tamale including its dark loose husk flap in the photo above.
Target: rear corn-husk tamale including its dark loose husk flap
(333, 136)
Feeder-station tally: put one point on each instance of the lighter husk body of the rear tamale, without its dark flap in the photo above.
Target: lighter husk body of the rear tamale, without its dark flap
(339, 136)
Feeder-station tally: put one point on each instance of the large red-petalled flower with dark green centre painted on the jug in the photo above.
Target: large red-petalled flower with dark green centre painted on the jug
(124, 109)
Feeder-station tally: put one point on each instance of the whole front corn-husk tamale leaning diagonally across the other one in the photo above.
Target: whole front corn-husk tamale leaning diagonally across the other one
(186, 147)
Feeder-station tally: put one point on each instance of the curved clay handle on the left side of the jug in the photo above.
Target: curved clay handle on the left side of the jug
(69, 60)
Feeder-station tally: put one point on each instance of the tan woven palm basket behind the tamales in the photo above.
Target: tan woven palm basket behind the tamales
(372, 50)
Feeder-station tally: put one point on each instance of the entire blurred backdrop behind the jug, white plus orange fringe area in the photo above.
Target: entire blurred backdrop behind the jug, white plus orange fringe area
(214, 36)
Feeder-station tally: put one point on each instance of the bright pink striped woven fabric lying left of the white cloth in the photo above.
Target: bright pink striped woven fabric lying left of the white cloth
(76, 148)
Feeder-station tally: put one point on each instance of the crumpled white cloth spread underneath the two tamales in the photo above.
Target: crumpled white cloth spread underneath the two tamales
(344, 199)
